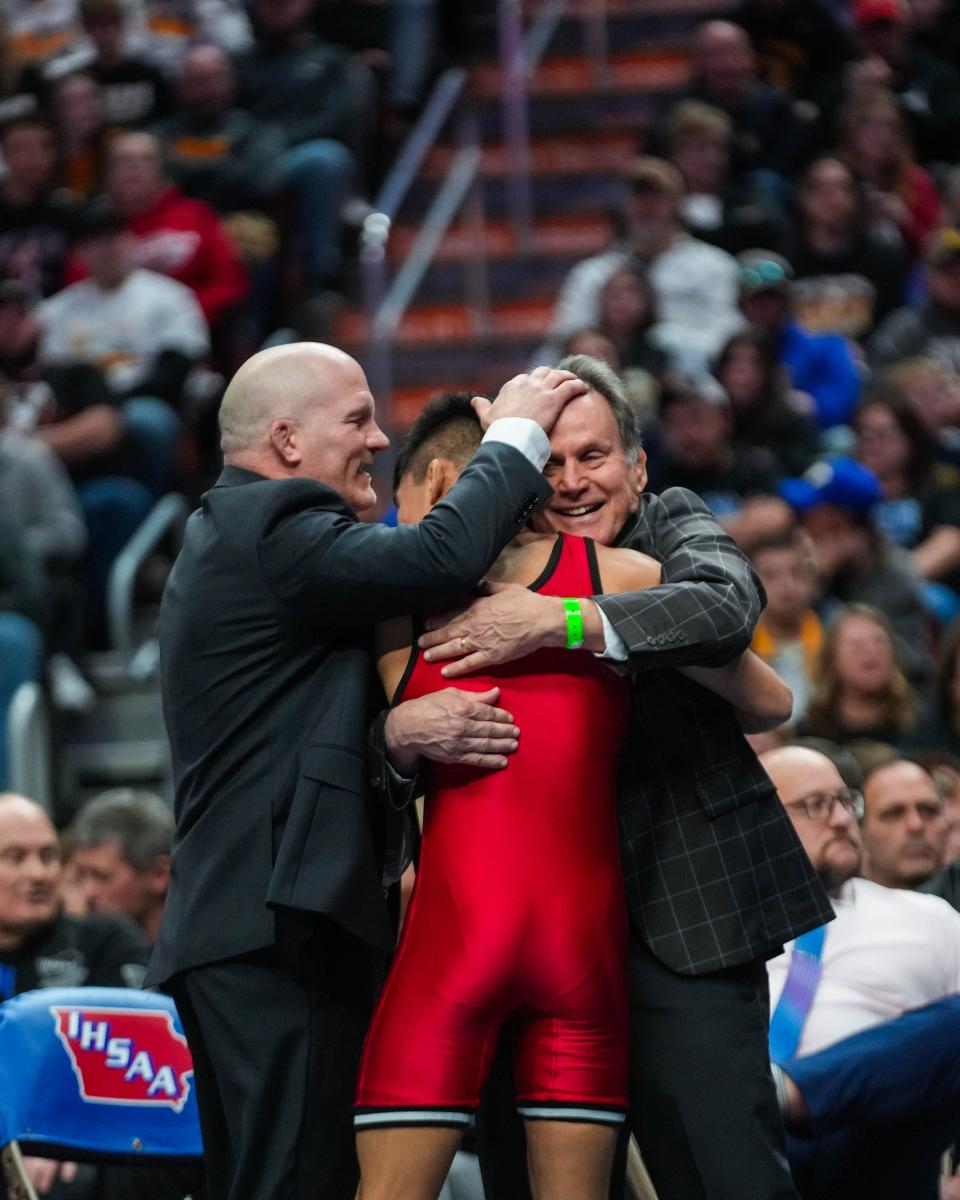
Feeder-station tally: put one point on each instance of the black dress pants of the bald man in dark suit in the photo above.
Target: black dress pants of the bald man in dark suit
(277, 1040)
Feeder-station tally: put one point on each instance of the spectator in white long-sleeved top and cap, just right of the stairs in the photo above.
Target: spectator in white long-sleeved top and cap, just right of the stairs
(695, 285)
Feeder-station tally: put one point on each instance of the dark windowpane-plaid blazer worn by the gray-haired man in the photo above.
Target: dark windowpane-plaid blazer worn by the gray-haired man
(716, 875)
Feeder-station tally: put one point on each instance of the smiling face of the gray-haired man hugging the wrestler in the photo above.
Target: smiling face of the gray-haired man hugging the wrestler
(596, 487)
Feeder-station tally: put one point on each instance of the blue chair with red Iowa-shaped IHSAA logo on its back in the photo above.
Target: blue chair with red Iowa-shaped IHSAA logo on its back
(98, 1076)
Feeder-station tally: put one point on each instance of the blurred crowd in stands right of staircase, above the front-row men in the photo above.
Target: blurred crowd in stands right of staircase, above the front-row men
(784, 303)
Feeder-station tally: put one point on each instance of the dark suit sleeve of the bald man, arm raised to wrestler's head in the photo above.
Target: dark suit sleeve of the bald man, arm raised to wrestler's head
(327, 568)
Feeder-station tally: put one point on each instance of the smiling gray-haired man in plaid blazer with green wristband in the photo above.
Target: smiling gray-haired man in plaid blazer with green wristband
(717, 880)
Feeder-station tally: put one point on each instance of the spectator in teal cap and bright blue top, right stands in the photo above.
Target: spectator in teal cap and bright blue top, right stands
(820, 368)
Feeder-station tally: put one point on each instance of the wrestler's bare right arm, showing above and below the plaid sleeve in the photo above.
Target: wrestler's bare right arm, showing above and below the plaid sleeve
(760, 699)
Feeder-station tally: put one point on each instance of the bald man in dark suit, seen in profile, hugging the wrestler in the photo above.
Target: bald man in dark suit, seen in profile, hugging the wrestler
(275, 926)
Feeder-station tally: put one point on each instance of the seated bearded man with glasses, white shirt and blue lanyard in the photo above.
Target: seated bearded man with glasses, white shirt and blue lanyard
(887, 952)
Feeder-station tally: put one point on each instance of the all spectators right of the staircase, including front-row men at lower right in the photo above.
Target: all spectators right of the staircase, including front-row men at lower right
(784, 303)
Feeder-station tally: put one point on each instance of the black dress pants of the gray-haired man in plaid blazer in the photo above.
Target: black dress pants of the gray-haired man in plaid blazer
(703, 1102)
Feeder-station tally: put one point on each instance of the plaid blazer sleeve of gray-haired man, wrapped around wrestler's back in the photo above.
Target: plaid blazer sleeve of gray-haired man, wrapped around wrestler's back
(710, 602)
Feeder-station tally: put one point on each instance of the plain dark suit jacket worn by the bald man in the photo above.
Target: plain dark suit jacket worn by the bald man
(267, 687)
